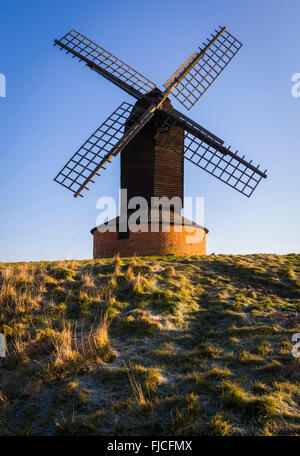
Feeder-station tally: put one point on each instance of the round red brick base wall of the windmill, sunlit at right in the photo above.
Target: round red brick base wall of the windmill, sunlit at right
(107, 244)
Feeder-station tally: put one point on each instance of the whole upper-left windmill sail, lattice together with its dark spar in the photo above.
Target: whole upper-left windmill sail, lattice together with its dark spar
(105, 63)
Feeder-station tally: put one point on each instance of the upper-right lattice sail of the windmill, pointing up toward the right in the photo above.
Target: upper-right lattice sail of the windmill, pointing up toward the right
(218, 52)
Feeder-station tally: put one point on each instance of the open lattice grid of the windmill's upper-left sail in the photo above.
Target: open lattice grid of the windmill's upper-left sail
(95, 54)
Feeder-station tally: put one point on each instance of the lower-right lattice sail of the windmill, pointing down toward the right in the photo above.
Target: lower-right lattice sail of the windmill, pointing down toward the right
(209, 154)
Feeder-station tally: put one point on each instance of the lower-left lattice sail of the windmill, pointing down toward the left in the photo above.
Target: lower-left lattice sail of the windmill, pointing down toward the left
(94, 153)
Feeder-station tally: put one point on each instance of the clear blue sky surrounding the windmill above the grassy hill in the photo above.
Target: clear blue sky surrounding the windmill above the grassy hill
(53, 103)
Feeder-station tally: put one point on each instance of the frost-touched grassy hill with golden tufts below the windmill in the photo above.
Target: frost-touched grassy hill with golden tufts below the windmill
(151, 346)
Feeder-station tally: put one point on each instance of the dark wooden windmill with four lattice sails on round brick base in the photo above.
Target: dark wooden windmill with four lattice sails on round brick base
(154, 138)
